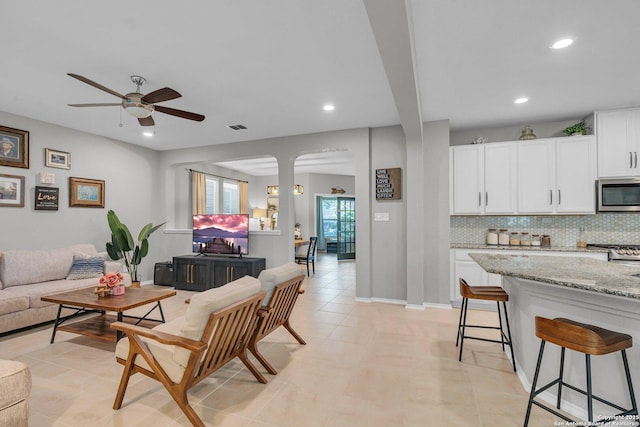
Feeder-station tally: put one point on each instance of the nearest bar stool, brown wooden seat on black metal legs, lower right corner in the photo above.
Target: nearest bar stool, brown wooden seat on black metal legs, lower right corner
(587, 339)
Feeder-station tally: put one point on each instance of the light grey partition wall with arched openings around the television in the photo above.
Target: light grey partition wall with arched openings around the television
(285, 150)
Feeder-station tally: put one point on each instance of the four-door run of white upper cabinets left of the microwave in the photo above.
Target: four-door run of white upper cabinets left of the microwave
(543, 176)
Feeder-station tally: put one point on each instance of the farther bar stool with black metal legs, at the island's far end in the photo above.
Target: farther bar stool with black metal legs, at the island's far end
(487, 293)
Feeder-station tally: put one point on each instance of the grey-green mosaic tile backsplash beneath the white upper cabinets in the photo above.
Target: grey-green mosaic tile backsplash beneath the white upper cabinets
(616, 228)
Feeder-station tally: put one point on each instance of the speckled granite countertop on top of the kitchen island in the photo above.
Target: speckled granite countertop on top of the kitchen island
(574, 272)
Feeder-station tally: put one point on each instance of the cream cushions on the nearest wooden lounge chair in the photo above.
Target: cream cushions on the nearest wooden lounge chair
(174, 359)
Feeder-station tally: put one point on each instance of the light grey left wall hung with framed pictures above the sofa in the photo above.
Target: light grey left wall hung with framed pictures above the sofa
(130, 174)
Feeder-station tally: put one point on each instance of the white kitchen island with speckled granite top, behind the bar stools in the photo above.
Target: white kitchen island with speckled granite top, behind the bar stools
(586, 290)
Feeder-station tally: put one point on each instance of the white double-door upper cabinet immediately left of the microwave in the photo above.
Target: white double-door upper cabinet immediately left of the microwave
(557, 176)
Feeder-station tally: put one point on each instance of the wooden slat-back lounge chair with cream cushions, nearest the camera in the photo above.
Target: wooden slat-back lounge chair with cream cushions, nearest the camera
(181, 353)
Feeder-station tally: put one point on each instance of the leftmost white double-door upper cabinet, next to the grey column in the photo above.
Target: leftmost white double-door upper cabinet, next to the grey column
(482, 179)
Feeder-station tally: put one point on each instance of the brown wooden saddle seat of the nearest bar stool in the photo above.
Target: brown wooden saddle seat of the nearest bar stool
(581, 337)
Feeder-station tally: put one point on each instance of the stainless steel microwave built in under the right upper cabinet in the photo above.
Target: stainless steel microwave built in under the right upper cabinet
(618, 195)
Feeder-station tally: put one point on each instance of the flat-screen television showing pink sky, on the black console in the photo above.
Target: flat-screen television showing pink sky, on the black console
(221, 234)
